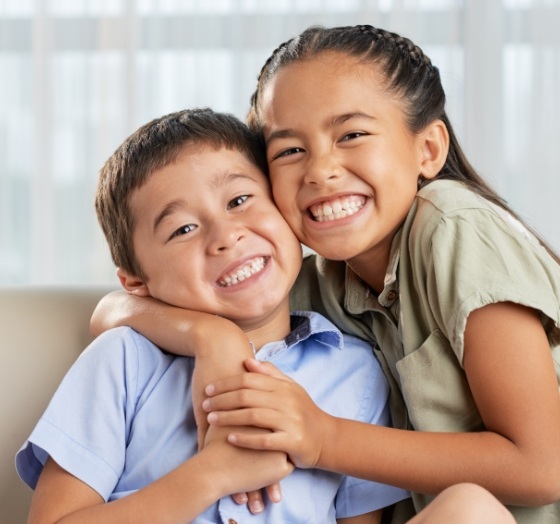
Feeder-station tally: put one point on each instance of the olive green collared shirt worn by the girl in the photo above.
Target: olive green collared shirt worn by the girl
(456, 252)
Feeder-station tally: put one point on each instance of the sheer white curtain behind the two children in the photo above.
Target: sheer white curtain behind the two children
(78, 76)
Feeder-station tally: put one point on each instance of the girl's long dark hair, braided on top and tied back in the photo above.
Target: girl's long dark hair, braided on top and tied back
(409, 74)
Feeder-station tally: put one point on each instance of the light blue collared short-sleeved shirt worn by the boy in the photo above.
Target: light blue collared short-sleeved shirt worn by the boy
(123, 417)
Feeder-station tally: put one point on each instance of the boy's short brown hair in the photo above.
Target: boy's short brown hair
(150, 148)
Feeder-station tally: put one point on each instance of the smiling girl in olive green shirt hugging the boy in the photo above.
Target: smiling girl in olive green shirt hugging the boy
(417, 254)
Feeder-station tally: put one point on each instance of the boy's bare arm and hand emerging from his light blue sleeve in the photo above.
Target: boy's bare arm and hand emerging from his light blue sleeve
(181, 495)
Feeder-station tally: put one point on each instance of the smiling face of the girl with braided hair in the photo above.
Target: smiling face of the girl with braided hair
(344, 166)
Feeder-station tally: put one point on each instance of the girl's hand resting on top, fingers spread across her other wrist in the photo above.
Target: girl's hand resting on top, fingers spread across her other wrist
(269, 399)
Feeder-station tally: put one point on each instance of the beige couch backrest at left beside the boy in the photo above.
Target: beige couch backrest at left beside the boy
(42, 331)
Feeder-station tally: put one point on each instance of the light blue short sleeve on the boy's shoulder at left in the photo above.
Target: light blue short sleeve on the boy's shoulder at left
(85, 427)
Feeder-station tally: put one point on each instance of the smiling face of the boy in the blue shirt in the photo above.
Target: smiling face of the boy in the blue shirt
(209, 238)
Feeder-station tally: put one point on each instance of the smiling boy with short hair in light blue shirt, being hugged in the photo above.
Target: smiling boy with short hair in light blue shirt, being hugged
(186, 209)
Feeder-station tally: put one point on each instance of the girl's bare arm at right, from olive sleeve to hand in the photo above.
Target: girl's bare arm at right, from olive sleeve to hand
(510, 370)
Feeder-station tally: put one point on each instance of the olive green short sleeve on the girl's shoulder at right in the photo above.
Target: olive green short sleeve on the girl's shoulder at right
(481, 256)
